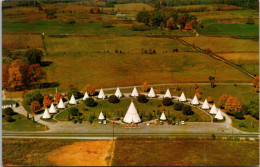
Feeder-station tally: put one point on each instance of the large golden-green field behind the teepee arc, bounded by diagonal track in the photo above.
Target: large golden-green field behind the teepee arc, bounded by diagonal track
(84, 61)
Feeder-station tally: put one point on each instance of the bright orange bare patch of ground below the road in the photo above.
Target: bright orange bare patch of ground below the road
(86, 153)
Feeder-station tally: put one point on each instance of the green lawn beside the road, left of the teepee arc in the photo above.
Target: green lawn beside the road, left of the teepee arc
(21, 124)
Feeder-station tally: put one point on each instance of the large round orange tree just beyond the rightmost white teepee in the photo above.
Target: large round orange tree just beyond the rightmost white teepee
(233, 105)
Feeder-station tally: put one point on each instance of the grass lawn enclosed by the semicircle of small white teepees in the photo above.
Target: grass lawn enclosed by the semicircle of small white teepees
(143, 109)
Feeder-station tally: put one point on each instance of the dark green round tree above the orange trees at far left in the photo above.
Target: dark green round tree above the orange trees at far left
(34, 56)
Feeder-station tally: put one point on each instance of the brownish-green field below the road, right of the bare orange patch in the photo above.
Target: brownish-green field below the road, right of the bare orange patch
(166, 152)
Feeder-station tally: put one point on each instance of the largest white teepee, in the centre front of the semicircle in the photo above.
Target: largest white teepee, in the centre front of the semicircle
(131, 115)
